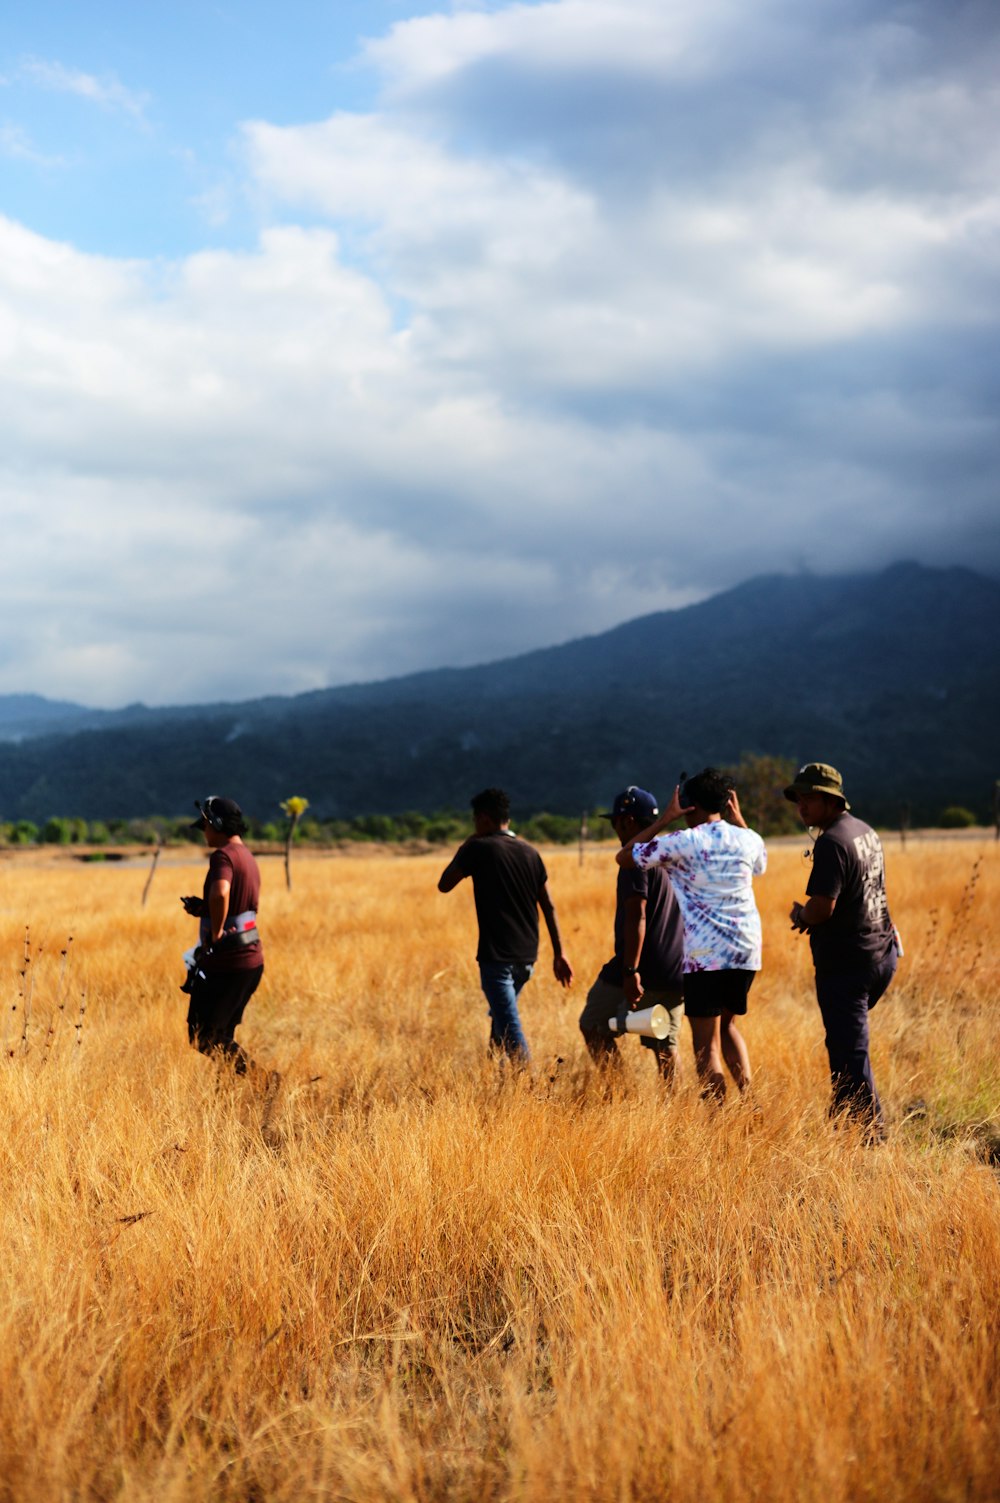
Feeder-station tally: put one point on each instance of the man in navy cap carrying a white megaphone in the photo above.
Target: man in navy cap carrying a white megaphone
(646, 967)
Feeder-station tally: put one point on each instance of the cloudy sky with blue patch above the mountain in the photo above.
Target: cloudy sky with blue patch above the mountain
(342, 340)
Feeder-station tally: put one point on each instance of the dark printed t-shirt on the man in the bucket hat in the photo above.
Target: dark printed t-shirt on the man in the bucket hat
(849, 865)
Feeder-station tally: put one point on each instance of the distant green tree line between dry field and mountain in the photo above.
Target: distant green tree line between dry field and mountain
(760, 781)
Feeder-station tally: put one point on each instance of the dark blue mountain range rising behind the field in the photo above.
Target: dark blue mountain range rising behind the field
(894, 677)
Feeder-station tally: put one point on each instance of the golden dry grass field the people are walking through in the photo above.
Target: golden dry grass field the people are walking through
(410, 1277)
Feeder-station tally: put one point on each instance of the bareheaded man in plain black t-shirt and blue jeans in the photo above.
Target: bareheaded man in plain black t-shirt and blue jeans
(511, 886)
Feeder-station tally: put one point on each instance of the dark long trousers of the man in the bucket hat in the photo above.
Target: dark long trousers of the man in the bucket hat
(846, 1003)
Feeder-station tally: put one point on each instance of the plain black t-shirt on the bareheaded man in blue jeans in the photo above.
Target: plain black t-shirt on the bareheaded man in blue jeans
(508, 880)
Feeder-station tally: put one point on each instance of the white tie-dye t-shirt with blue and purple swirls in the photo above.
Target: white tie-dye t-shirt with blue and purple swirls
(712, 874)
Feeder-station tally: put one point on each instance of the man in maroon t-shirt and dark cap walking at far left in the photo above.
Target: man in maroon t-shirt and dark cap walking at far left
(228, 963)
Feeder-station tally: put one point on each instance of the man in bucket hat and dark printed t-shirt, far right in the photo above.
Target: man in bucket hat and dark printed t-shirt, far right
(852, 936)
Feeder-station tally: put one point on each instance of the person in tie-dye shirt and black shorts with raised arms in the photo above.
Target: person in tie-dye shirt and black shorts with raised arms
(712, 868)
